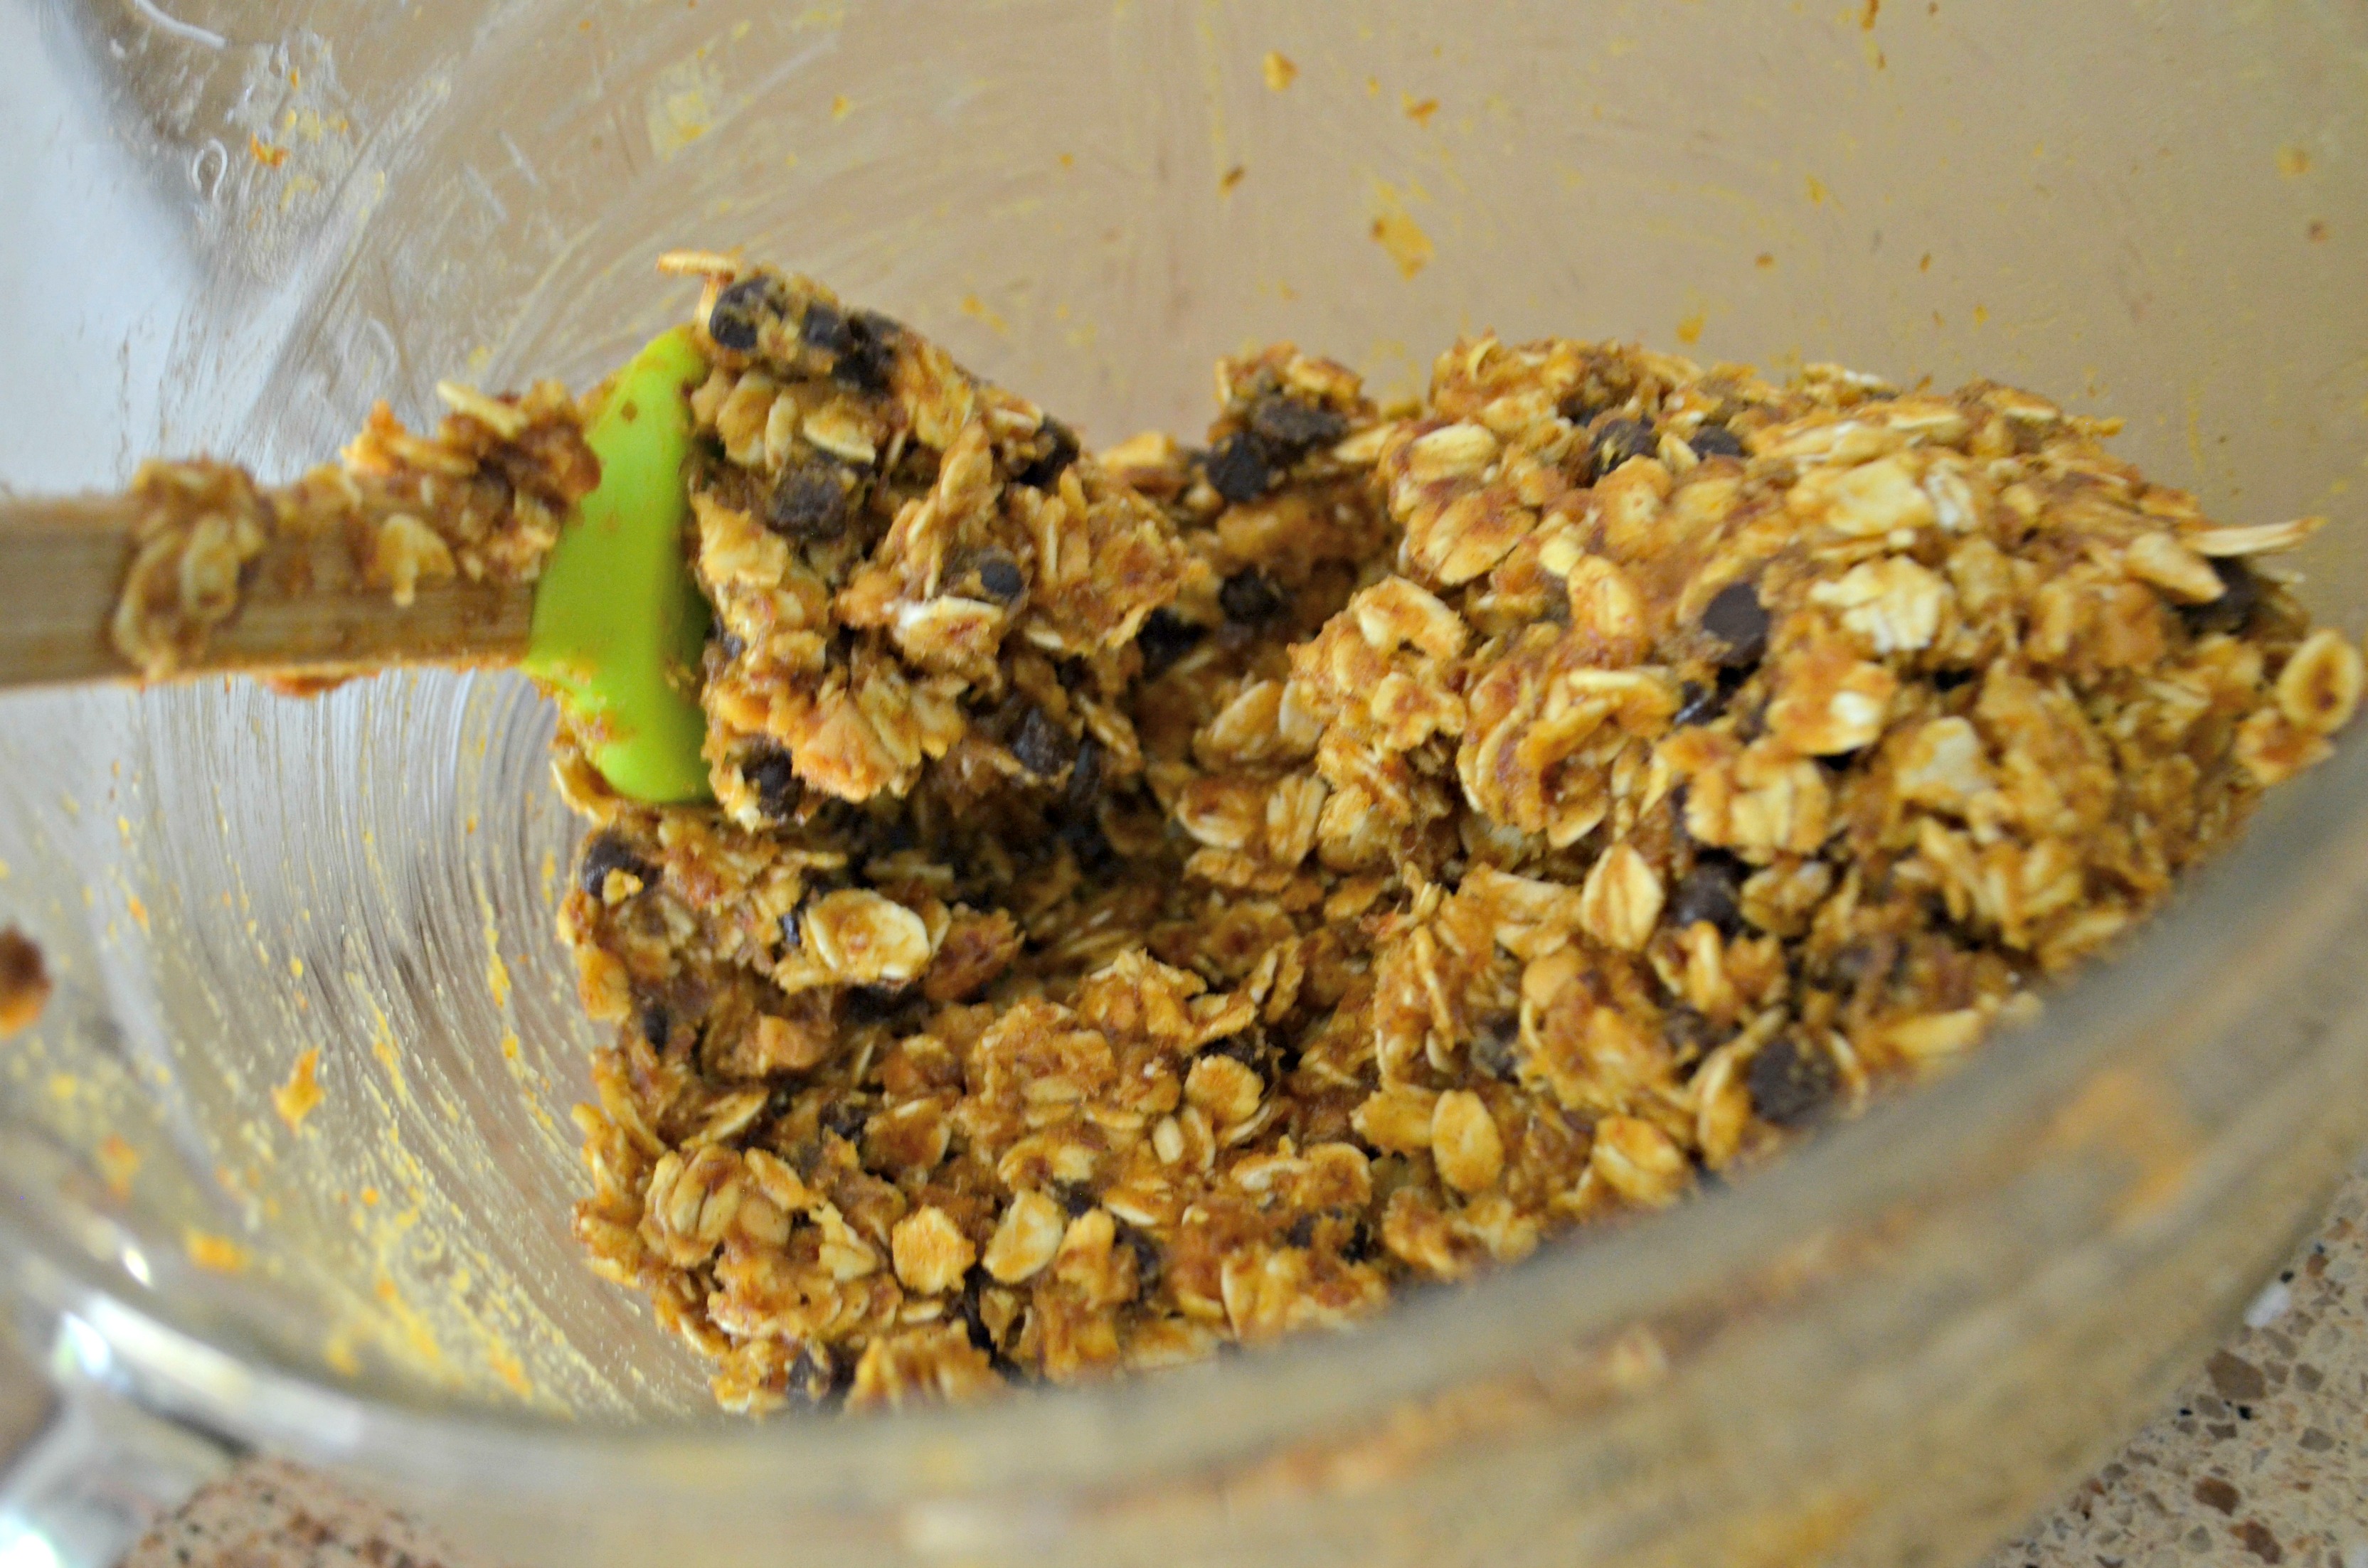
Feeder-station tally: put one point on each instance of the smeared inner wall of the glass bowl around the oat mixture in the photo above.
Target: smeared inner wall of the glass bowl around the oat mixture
(250, 221)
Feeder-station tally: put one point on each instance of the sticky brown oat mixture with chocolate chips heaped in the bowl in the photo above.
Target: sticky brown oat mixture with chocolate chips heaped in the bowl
(1173, 899)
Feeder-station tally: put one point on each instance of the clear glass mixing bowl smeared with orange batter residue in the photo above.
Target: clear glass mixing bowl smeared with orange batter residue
(233, 224)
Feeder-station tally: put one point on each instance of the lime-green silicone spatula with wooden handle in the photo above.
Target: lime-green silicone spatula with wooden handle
(612, 626)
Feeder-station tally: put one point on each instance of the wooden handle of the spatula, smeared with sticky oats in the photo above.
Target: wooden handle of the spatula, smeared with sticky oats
(307, 605)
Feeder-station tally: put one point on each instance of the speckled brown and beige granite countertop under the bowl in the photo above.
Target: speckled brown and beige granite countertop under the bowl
(2260, 1460)
